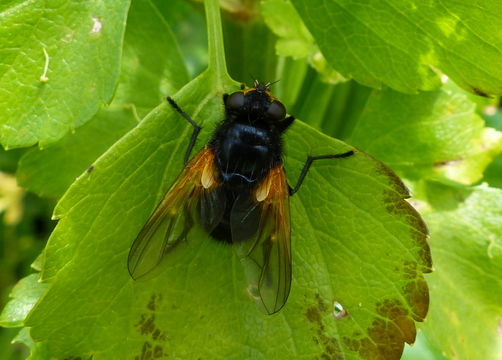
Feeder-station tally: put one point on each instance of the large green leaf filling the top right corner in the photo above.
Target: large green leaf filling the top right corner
(402, 43)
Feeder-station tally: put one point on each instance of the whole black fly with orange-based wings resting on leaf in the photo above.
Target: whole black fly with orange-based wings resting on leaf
(236, 188)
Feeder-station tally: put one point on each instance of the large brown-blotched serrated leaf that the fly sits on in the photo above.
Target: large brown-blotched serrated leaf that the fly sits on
(355, 241)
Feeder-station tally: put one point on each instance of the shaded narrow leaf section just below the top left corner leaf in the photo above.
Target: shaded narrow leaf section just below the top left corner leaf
(49, 172)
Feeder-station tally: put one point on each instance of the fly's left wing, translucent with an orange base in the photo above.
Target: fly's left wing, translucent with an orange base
(195, 195)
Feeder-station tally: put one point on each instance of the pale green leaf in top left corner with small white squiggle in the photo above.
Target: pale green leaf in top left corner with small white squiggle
(79, 43)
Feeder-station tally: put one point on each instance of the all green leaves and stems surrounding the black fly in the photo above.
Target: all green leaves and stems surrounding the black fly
(414, 85)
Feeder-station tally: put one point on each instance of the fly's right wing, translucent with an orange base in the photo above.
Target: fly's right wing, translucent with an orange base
(261, 232)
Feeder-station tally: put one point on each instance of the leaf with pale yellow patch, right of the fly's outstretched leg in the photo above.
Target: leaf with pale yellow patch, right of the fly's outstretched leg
(433, 134)
